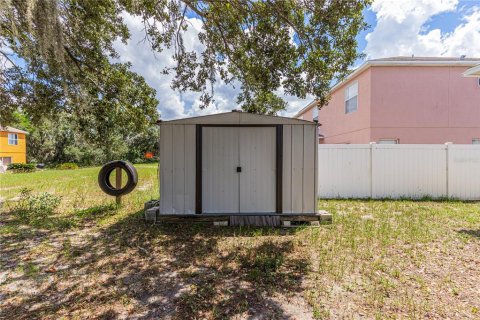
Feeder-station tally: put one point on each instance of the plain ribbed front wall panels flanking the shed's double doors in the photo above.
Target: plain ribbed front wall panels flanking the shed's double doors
(178, 167)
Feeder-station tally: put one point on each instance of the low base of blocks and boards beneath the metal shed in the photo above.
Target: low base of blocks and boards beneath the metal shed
(153, 214)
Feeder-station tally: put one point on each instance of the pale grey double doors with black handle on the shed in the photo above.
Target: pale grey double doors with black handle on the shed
(238, 170)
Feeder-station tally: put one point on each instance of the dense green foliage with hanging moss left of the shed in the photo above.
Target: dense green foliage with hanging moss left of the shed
(62, 76)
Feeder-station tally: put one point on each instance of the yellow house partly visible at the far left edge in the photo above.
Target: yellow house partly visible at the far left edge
(13, 146)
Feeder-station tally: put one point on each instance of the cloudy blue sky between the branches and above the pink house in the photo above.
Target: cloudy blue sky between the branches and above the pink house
(449, 28)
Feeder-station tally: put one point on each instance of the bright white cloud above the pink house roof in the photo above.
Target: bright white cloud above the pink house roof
(400, 30)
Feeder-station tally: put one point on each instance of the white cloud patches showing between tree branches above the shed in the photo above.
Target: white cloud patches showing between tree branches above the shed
(174, 104)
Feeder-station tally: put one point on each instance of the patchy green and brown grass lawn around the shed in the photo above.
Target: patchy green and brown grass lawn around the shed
(92, 259)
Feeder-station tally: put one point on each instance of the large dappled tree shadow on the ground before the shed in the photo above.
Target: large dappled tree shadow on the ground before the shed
(171, 271)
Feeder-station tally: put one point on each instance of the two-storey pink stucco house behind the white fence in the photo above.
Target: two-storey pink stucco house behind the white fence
(402, 100)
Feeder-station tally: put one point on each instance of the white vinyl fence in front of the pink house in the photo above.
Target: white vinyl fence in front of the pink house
(396, 171)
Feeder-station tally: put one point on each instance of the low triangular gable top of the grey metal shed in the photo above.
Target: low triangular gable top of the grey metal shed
(237, 117)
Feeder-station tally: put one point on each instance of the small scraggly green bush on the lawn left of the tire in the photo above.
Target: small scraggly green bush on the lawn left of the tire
(35, 207)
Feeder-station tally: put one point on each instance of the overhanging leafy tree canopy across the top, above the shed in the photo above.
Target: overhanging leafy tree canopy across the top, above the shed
(58, 54)
